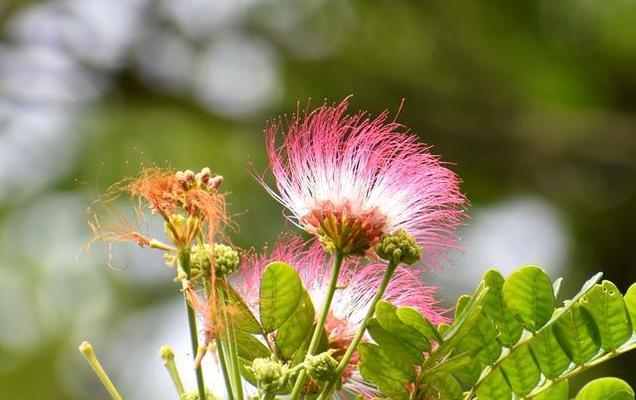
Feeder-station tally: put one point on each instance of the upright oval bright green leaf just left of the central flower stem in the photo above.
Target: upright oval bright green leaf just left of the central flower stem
(280, 292)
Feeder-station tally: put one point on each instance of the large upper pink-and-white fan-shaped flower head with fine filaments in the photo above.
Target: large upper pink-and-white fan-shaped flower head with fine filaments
(349, 179)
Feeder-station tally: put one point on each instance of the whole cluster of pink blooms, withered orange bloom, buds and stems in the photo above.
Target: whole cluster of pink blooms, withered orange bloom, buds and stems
(376, 200)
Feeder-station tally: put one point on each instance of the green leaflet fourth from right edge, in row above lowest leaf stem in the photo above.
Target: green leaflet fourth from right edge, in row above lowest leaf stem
(549, 354)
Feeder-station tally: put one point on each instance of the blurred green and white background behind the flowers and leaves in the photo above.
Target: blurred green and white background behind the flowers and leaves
(533, 101)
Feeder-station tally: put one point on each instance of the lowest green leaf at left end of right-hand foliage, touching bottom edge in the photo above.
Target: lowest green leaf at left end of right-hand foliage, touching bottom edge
(378, 368)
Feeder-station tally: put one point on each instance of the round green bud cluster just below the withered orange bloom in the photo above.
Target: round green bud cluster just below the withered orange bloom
(226, 259)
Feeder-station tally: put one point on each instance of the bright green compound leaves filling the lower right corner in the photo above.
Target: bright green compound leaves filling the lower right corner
(508, 339)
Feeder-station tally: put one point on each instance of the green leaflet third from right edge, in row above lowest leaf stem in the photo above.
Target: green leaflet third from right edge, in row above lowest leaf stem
(577, 334)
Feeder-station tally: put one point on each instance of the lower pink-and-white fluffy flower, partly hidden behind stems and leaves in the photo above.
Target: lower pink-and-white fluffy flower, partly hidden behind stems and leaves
(357, 285)
